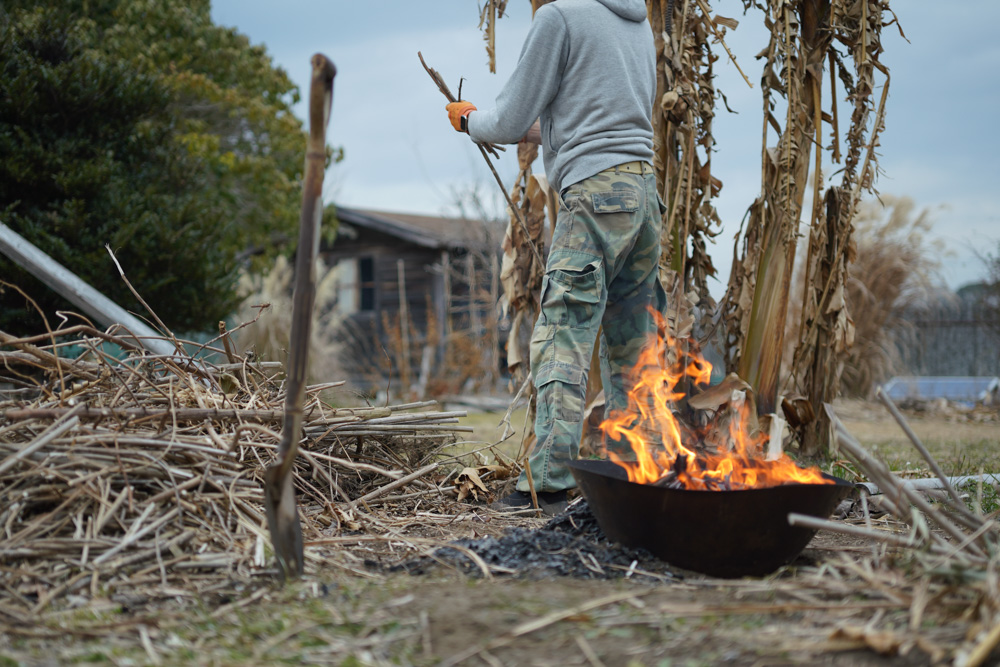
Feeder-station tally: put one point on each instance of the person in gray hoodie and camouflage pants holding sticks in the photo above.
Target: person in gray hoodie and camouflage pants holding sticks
(587, 71)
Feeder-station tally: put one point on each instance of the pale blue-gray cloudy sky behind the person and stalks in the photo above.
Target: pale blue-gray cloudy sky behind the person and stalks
(939, 147)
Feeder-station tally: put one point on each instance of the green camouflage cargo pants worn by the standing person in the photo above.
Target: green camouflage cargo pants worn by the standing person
(601, 270)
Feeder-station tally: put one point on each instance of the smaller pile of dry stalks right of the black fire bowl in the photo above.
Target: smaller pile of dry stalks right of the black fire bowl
(934, 554)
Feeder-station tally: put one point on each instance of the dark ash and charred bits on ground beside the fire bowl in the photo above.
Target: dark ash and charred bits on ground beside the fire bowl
(569, 545)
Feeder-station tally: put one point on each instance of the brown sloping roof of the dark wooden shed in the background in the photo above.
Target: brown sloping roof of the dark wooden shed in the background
(423, 230)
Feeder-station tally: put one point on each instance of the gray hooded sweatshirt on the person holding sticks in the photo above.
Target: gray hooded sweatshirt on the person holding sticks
(588, 70)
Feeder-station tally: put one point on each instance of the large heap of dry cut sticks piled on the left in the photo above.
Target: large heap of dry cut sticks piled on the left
(121, 469)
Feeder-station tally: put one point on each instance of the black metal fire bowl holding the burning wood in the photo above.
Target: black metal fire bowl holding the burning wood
(719, 533)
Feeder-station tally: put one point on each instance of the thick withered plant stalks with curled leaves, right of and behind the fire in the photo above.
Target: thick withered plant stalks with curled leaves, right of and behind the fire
(803, 39)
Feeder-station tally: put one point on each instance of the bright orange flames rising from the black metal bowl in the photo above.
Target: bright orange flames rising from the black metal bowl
(727, 453)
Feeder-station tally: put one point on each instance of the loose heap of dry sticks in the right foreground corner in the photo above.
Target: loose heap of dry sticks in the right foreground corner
(950, 554)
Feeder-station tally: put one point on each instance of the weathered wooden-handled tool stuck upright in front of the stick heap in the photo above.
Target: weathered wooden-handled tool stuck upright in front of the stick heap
(279, 491)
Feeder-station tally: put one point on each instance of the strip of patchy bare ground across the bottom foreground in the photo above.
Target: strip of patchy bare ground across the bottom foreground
(335, 617)
